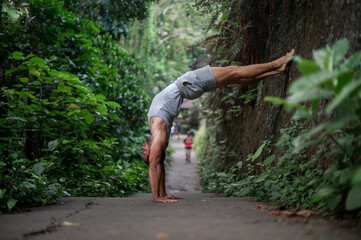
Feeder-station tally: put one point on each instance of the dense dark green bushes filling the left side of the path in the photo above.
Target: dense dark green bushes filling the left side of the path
(72, 108)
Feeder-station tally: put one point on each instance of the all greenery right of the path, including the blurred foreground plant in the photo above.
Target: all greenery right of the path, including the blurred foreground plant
(291, 176)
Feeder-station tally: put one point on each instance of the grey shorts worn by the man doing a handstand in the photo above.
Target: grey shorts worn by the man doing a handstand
(193, 84)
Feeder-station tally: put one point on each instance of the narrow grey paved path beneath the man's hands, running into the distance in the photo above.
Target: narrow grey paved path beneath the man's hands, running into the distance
(199, 216)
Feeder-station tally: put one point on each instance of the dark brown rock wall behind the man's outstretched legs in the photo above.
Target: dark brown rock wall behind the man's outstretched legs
(276, 27)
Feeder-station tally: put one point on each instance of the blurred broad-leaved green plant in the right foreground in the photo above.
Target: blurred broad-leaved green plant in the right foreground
(331, 79)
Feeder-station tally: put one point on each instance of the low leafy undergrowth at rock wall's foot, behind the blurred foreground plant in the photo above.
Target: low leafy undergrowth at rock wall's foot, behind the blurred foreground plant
(280, 180)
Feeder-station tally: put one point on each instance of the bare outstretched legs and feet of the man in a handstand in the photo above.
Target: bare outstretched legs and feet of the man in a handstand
(252, 73)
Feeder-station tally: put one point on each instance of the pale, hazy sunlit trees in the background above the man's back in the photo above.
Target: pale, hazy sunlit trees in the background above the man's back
(166, 41)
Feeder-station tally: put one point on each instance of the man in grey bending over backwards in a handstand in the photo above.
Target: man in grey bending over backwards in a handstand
(166, 106)
